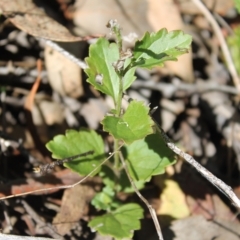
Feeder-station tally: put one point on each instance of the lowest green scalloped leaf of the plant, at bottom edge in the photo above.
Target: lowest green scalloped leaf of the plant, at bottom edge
(120, 223)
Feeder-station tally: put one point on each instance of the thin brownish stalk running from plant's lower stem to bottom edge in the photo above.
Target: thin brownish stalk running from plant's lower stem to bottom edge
(151, 210)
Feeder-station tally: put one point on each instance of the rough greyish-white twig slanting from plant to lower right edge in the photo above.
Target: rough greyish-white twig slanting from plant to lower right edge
(224, 188)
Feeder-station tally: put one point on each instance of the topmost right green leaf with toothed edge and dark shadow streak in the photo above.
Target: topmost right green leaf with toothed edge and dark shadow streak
(156, 48)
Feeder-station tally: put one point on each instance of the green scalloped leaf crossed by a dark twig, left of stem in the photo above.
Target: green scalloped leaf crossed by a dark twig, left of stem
(73, 143)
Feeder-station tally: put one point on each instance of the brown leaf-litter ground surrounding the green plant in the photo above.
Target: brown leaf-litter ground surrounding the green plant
(43, 94)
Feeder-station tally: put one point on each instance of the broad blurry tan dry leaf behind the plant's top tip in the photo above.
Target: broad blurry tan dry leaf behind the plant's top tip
(91, 17)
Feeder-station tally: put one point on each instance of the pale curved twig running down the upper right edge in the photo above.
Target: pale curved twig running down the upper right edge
(222, 41)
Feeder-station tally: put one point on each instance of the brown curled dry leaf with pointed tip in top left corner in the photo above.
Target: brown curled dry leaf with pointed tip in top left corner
(28, 17)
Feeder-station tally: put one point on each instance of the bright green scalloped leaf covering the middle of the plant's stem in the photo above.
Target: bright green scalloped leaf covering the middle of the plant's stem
(133, 125)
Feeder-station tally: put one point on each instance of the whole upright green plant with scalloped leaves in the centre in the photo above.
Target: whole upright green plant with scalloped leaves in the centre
(140, 153)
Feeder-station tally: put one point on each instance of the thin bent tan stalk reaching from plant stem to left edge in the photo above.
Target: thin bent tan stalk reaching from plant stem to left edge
(64, 186)
